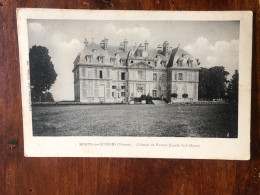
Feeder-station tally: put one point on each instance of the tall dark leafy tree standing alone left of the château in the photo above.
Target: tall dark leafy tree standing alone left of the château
(42, 73)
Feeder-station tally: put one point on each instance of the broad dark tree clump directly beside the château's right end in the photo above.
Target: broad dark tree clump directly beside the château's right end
(212, 83)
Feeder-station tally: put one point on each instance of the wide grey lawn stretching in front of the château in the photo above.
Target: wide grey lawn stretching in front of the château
(136, 120)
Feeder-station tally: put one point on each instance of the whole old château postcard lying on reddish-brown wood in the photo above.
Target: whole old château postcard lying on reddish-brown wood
(135, 84)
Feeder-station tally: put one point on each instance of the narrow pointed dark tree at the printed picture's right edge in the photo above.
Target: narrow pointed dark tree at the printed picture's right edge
(232, 90)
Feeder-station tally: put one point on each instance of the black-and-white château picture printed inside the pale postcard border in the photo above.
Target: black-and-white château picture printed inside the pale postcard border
(158, 78)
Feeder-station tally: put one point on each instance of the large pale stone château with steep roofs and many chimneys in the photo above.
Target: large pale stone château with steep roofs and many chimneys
(105, 73)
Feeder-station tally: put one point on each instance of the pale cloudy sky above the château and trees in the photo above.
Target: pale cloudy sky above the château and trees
(214, 43)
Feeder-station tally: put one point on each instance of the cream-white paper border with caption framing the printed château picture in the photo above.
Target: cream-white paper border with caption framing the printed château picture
(159, 147)
